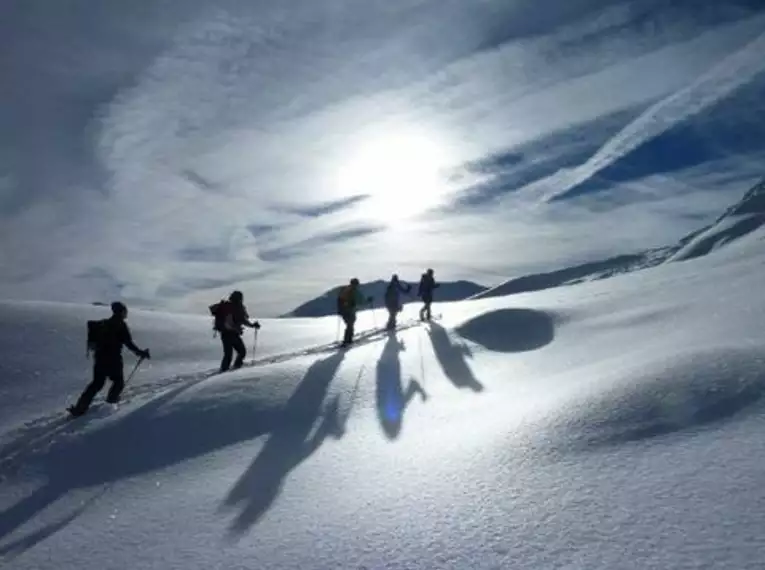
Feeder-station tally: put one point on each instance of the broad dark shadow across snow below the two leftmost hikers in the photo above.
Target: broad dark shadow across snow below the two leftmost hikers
(150, 438)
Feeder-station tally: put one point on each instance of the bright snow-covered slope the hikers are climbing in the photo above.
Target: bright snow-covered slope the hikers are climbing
(611, 424)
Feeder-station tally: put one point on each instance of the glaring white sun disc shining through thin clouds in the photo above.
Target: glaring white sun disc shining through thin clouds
(401, 170)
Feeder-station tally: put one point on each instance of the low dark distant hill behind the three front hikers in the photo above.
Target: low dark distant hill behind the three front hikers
(326, 304)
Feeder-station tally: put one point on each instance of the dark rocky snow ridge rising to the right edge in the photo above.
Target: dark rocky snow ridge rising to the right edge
(744, 218)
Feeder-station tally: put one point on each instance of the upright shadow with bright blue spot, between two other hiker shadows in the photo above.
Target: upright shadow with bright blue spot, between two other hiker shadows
(391, 398)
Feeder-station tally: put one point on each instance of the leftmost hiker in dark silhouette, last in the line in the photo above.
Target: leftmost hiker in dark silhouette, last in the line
(112, 334)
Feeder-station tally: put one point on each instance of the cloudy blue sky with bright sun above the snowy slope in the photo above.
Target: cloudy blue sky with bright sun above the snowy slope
(166, 152)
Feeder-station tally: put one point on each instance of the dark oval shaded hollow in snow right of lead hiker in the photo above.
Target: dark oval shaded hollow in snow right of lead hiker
(510, 330)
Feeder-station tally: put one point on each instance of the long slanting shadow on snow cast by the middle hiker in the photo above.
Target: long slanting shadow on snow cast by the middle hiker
(289, 444)
